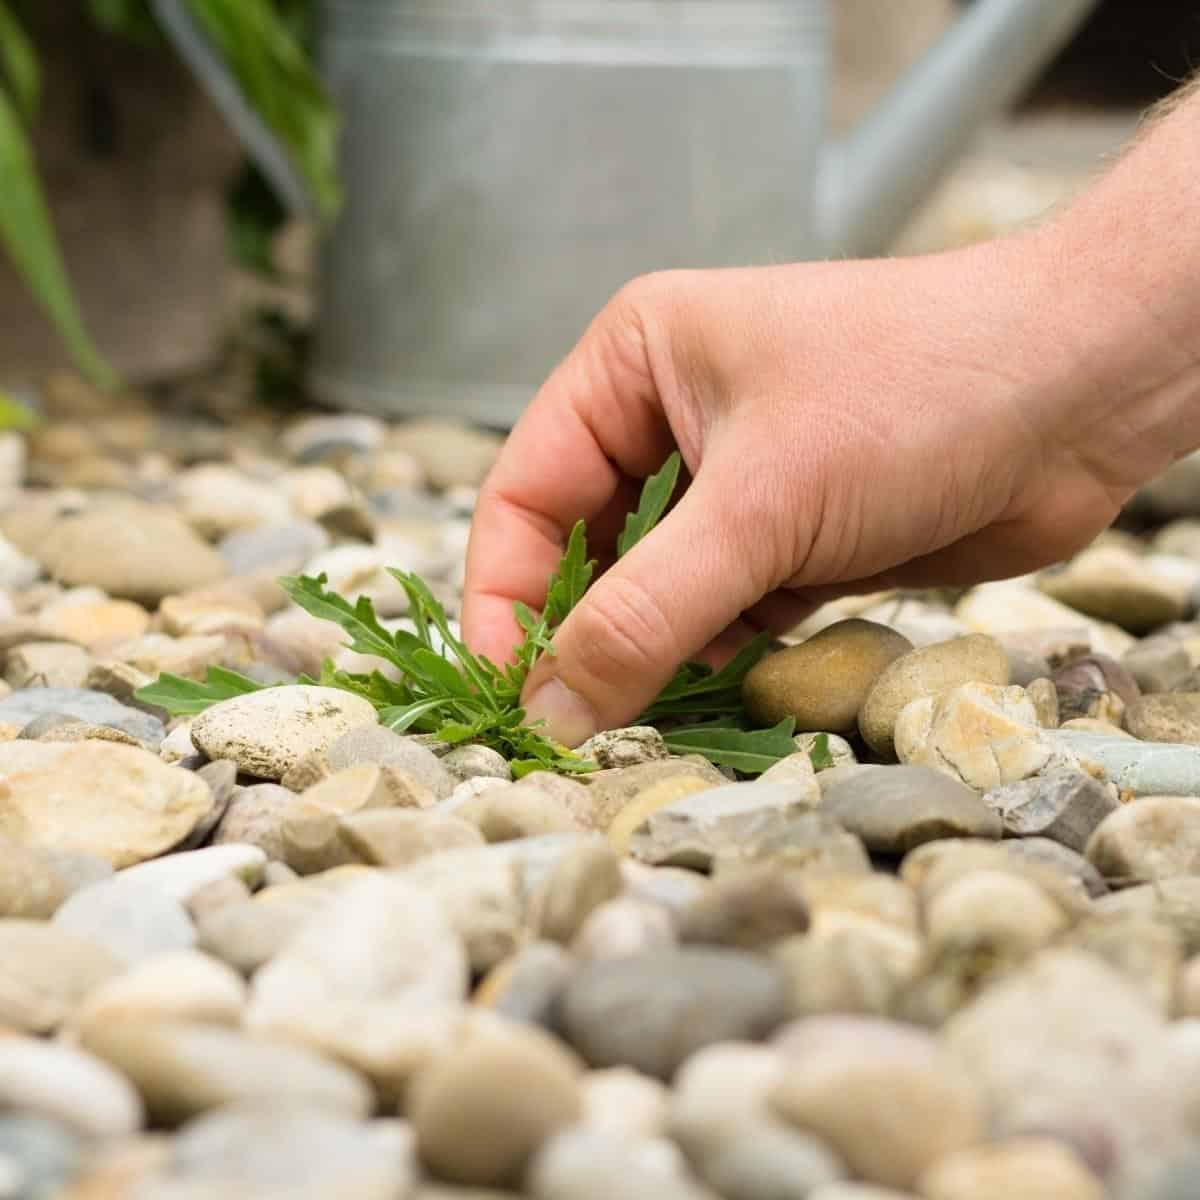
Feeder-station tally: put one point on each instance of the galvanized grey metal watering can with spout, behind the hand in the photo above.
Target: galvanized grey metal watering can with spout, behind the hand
(511, 164)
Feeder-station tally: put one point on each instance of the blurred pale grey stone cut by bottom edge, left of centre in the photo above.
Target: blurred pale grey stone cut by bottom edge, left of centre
(289, 1153)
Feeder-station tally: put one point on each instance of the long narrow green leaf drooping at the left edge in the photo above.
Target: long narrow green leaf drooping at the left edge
(28, 236)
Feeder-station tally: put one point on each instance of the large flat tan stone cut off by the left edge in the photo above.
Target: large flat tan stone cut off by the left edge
(148, 807)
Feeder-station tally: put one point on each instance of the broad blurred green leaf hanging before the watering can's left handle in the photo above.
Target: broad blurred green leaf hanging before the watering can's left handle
(278, 80)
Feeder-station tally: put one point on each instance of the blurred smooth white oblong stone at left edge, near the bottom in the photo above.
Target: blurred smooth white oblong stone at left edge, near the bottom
(61, 1084)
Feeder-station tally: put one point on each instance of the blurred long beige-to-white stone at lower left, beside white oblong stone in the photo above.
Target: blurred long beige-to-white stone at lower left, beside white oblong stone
(184, 1070)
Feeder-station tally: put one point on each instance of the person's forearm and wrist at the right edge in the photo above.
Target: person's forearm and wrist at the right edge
(1120, 274)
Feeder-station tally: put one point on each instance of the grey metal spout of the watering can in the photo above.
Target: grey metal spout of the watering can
(874, 178)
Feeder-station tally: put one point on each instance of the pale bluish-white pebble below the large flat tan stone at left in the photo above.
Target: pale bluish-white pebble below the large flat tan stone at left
(133, 921)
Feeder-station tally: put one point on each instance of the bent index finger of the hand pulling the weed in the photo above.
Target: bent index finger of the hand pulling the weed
(595, 425)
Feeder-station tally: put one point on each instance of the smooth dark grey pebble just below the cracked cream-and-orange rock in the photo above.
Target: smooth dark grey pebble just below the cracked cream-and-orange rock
(895, 809)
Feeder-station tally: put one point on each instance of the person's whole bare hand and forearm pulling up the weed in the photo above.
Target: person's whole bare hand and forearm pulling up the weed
(847, 428)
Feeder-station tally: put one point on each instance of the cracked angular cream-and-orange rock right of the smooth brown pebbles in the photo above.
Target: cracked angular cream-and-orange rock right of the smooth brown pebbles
(982, 735)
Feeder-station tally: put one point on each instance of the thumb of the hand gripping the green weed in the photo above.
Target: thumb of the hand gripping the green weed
(663, 603)
